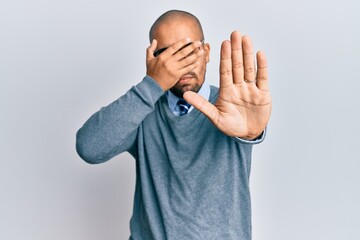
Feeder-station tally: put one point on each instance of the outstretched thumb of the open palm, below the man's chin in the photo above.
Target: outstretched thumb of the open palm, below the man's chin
(202, 105)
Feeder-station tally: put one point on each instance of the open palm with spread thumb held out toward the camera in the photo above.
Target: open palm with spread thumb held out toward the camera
(244, 104)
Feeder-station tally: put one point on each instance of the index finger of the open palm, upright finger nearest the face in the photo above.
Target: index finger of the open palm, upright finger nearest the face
(226, 77)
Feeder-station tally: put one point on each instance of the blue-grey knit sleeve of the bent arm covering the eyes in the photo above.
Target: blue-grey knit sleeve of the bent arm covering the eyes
(113, 129)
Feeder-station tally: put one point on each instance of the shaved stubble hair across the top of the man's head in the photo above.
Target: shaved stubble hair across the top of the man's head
(173, 16)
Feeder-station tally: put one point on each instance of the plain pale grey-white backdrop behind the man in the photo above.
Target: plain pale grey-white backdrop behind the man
(61, 60)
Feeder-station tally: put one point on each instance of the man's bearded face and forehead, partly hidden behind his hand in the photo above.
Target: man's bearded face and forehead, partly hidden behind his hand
(167, 34)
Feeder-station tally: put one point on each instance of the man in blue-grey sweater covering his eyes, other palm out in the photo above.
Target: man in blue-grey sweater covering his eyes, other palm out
(192, 162)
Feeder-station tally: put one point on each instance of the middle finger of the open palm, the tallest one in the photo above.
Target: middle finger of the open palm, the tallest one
(237, 57)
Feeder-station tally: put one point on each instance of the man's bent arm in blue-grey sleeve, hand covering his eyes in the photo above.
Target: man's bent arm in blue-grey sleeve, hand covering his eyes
(113, 128)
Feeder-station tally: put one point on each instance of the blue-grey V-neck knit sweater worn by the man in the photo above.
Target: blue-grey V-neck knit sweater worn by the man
(192, 181)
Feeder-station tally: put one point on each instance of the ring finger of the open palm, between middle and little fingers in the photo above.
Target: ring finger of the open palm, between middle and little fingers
(249, 63)
